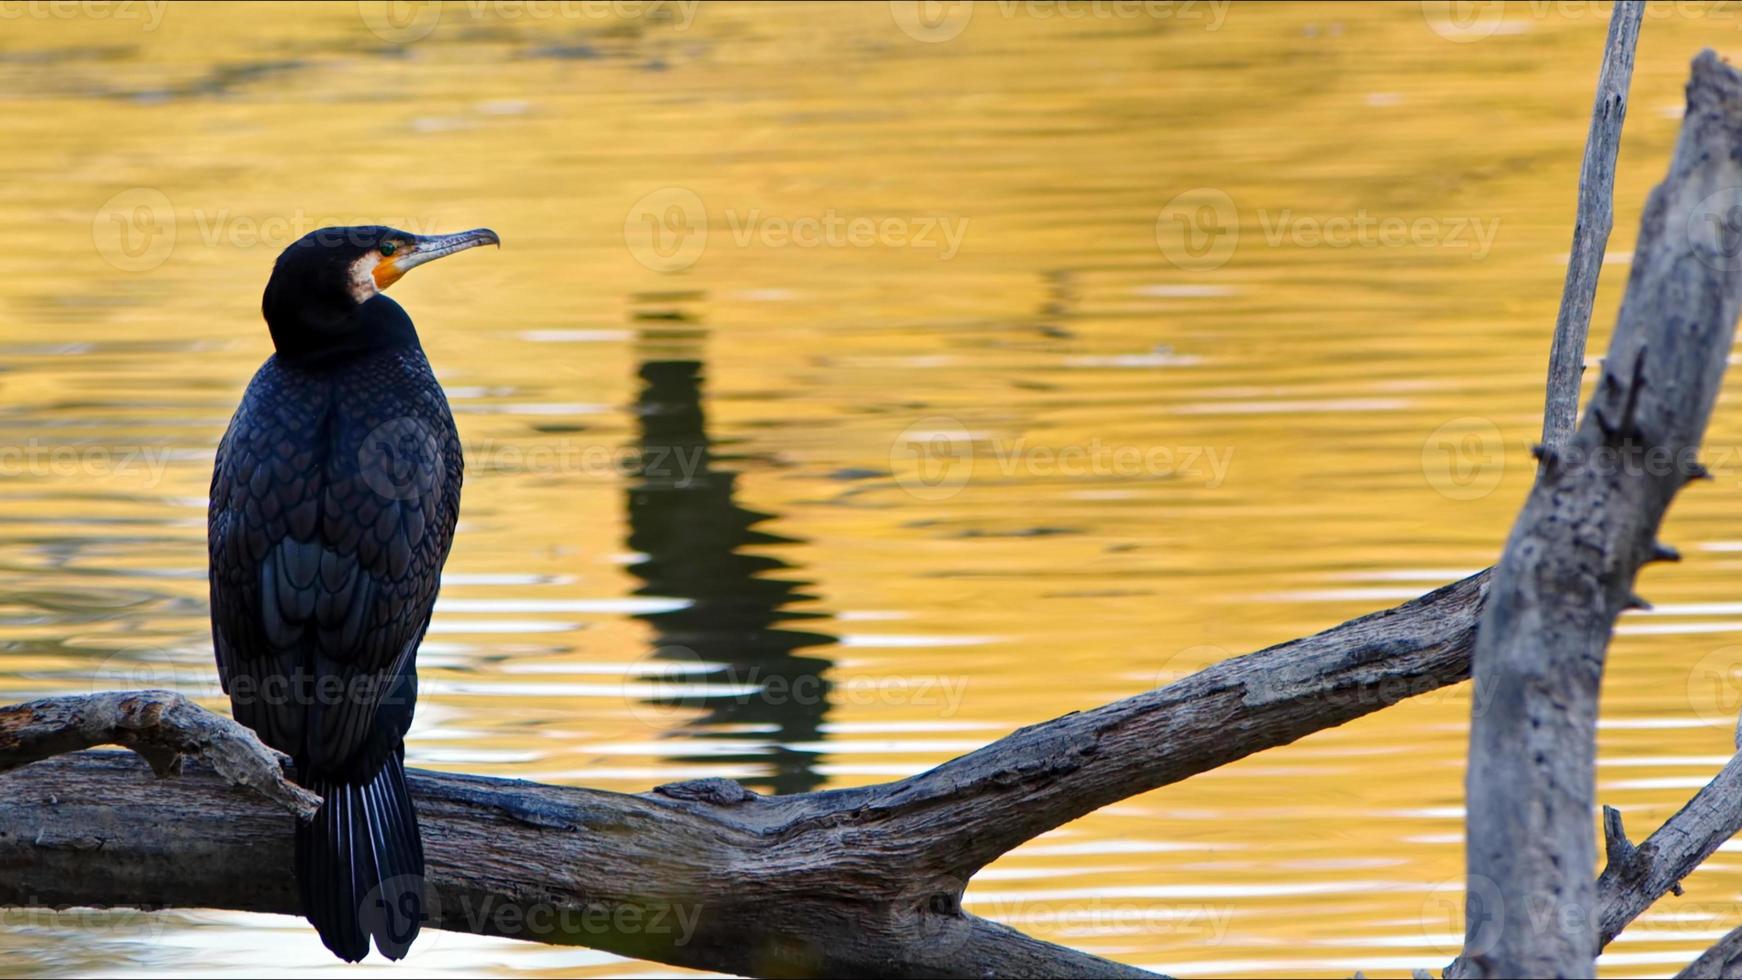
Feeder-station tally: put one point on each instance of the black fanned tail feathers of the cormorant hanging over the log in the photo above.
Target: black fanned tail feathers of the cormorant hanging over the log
(360, 866)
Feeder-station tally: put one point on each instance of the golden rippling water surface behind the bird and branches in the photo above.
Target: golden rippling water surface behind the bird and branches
(858, 384)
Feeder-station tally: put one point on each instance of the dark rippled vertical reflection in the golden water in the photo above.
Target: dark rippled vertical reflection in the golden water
(701, 546)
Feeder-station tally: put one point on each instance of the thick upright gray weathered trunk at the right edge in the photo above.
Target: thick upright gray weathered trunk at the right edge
(1570, 563)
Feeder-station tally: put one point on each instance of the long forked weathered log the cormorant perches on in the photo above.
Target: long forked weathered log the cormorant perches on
(861, 882)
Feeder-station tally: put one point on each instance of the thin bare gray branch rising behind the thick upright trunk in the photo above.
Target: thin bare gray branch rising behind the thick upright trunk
(1591, 227)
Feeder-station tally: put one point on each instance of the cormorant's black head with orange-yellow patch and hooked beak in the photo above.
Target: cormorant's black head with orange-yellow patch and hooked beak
(325, 295)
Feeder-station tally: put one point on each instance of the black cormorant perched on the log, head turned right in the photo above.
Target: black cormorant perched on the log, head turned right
(332, 513)
